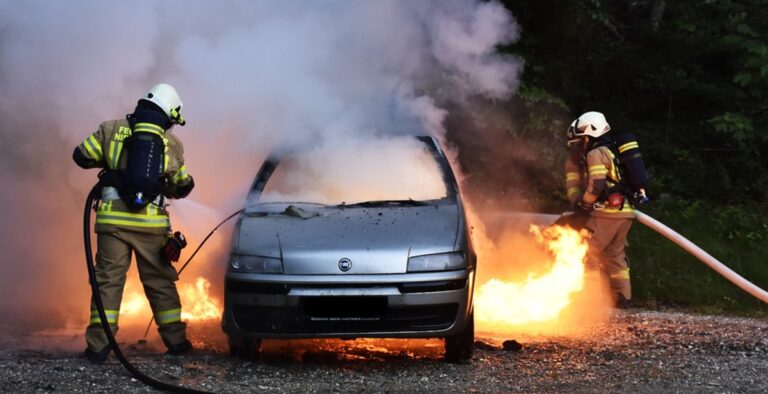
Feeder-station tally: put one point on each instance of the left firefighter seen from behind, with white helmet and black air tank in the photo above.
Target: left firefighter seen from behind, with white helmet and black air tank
(125, 225)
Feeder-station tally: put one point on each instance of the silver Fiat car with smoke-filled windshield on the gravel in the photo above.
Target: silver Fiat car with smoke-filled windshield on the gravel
(315, 267)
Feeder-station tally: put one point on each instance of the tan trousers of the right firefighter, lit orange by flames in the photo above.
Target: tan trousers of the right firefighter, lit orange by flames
(607, 251)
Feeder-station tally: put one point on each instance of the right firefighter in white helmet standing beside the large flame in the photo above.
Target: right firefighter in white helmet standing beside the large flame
(592, 185)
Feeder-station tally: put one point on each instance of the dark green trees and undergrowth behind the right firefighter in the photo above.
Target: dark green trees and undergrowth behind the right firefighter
(691, 83)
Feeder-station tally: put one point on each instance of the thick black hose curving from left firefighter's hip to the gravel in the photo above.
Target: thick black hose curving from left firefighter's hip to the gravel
(92, 197)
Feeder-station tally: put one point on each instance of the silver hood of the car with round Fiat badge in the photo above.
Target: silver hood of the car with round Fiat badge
(312, 240)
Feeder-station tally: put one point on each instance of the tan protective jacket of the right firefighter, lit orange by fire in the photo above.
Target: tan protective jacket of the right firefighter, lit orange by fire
(589, 180)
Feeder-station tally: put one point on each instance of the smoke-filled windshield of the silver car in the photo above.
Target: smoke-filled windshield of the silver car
(397, 171)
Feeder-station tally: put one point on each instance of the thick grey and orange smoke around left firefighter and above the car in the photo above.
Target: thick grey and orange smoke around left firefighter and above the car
(254, 77)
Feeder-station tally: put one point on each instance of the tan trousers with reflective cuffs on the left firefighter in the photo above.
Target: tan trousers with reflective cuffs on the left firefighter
(113, 257)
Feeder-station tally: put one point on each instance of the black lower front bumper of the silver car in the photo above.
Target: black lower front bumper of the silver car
(319, 315)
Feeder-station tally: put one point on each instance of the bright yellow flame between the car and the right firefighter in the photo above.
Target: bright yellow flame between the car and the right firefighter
(507, 306)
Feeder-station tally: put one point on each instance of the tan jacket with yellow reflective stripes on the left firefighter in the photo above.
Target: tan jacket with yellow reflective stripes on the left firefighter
(104, 148)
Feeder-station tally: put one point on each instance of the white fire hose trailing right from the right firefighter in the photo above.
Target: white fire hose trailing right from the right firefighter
(705, 257)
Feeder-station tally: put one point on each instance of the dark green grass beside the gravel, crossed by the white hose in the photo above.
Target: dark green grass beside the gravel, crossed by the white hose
(663, 273)
